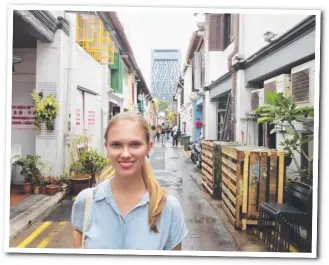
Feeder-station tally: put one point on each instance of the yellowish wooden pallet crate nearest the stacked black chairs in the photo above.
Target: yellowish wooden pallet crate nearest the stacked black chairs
(250, 176)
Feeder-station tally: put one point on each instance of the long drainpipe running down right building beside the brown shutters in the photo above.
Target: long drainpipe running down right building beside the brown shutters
(233, 71)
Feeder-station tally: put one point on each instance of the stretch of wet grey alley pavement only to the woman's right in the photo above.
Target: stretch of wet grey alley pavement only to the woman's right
(206, 231)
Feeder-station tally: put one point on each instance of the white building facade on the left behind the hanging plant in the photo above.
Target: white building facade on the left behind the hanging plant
(52, 61)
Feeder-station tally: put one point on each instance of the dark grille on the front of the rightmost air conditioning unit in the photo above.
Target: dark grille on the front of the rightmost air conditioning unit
(301, 85)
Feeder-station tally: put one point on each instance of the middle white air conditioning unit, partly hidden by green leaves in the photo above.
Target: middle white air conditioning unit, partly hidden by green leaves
(280, 84)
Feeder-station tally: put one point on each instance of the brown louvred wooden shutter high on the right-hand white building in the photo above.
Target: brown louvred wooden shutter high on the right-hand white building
(216, 32)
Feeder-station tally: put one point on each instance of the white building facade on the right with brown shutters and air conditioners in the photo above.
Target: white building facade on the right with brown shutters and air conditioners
(246, 55)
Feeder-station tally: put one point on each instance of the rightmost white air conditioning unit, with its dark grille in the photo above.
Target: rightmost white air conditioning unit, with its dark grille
(302, 83)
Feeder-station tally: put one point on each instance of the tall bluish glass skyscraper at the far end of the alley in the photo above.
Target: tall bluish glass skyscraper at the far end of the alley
(165, 73)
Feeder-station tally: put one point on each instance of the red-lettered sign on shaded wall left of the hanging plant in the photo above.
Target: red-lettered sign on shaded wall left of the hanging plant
(22, 116)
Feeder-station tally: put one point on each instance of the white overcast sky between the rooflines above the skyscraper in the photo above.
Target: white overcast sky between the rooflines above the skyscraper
(148, 30)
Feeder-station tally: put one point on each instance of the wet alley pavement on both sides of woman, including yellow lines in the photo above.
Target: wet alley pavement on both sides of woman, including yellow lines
(206, 231)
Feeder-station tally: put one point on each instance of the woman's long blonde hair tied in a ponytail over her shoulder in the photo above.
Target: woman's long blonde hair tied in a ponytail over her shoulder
(156, 192)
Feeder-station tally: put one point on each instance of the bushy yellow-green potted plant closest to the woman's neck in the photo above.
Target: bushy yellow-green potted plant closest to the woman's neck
(94, 163)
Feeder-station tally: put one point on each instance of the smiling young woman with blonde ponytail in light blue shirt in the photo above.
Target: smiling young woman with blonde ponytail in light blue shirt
(129, 210)
